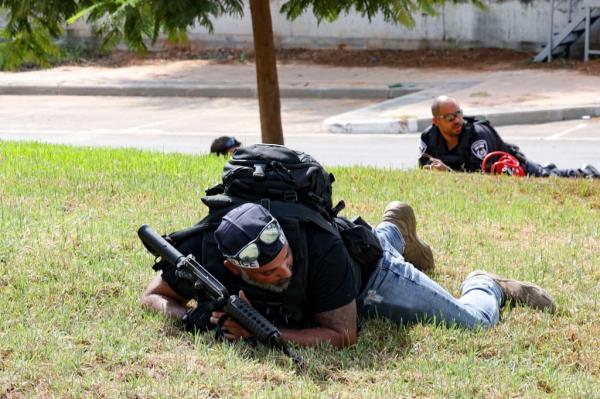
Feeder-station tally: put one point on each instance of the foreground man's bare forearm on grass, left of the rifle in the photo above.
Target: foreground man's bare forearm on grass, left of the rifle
(160, 297)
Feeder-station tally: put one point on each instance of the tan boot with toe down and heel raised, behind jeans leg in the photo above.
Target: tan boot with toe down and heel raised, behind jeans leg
(415, 251)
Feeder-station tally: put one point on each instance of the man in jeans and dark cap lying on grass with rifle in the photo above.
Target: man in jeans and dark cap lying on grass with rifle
(315, 297)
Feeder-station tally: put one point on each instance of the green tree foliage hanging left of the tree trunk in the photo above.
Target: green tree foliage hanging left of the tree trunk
(33, 25)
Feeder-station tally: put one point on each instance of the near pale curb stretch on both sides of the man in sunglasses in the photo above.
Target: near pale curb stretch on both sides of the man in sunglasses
(363, 125)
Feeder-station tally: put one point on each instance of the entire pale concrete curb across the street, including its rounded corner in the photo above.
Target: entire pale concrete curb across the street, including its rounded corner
(362, 121)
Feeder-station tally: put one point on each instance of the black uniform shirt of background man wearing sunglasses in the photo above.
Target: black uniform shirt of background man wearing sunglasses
(477, 139)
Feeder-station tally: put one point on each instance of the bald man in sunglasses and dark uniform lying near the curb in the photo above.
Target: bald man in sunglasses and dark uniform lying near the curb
(455, 143)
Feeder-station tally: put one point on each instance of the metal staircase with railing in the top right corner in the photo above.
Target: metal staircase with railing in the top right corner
(560, 43)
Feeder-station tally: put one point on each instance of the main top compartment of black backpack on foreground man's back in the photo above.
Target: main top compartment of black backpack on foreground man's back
(278, 173)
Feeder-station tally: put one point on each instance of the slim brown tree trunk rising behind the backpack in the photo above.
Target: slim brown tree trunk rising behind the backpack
(266, 72)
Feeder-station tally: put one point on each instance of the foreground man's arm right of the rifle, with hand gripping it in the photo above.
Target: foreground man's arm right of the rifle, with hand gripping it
(337, 326)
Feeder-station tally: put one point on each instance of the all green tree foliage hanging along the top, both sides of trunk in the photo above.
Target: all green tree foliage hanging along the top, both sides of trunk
(33, 25)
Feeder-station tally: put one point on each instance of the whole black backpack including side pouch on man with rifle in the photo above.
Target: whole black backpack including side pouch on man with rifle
(270, 172)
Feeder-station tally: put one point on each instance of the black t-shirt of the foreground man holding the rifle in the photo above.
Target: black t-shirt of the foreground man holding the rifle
(328, 280)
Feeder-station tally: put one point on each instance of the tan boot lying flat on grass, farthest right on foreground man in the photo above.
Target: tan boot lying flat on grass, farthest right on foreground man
(521, 292)
